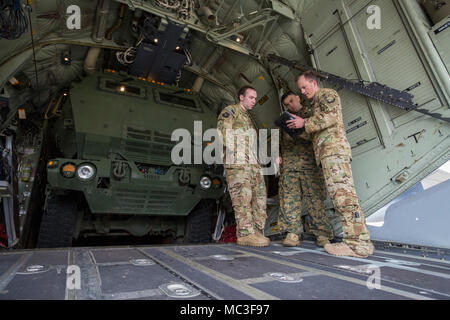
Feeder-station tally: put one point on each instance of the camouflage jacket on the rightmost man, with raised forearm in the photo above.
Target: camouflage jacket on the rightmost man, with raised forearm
(327, 126)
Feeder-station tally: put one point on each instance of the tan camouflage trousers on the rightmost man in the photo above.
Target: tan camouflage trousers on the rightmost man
(339, 181)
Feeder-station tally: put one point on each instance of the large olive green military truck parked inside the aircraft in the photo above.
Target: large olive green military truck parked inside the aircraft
(114, 173)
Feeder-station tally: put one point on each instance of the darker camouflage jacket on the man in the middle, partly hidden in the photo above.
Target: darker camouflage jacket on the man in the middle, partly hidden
(298, 153)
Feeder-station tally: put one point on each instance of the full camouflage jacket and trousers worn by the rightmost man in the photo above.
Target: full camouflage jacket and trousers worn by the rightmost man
(333, 153)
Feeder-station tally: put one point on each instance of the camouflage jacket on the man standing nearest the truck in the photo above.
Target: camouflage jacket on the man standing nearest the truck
(240, 143)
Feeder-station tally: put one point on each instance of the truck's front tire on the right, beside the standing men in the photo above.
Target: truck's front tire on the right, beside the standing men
(198, 228)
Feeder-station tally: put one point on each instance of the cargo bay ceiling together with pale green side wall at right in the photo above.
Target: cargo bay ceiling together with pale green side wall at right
(228, 45)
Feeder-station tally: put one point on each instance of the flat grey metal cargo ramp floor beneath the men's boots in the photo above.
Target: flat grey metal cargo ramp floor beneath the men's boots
(224, 272)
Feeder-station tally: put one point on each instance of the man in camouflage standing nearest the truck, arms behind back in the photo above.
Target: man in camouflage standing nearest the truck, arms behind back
(243, 173)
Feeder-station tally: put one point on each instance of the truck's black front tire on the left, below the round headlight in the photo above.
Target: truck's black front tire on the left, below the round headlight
(57, 223)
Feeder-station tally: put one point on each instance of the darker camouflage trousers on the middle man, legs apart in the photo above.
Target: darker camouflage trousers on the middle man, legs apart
(303, 192)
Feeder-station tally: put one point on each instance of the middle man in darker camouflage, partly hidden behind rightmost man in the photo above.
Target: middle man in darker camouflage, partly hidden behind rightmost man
(301, 184)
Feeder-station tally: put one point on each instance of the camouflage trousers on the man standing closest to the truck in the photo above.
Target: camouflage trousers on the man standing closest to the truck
(249, 198)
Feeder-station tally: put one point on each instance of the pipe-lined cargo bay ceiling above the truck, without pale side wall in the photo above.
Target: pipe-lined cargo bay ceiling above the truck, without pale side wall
(263, 27)
